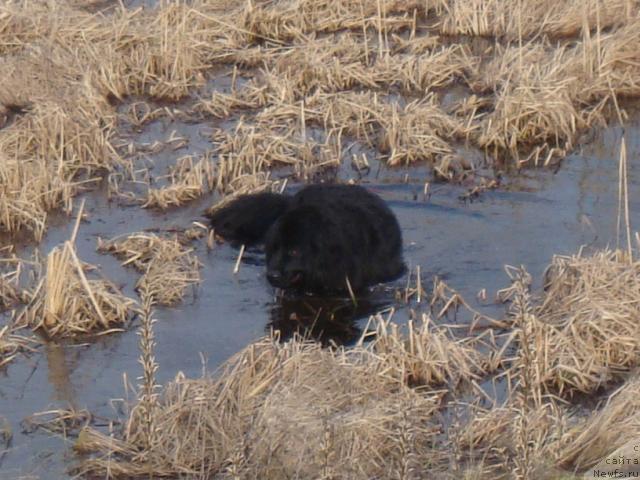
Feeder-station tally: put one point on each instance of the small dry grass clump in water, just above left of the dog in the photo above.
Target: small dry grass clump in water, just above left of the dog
(188, 180)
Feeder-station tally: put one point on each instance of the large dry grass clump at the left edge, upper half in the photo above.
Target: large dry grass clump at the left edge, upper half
(49, 151)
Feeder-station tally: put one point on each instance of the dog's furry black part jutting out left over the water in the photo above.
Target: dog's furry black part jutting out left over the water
(247, 219)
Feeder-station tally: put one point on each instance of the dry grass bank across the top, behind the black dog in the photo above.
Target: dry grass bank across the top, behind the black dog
(66, 68)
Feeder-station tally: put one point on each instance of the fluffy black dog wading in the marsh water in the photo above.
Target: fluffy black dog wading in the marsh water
(325, 238)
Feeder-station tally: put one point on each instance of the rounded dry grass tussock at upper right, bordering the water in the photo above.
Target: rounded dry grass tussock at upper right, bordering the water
(535, 117)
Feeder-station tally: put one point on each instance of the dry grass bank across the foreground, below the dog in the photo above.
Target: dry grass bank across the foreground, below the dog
(395, 407)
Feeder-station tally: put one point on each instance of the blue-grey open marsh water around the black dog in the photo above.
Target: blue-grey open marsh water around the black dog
(532, 217)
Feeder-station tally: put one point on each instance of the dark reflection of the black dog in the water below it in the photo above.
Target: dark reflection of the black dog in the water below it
(329, 320)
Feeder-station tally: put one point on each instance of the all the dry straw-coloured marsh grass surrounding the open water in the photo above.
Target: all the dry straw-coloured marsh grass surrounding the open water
(310, 79)
